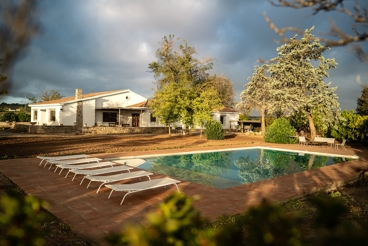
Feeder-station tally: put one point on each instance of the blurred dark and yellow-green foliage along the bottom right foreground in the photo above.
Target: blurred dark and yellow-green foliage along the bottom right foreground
(176, 222)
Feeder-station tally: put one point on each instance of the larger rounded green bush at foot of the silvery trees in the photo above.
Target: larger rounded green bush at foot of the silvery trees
(280, 132)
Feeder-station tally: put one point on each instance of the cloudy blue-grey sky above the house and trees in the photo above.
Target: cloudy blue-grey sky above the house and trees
(102, 45)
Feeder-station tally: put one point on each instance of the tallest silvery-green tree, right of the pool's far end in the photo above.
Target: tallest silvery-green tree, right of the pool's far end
(298, 85)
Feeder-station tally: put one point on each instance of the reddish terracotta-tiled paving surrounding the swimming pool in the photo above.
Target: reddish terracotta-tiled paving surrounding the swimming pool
(93, 215)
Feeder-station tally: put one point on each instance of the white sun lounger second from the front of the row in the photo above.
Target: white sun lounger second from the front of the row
(116, 177)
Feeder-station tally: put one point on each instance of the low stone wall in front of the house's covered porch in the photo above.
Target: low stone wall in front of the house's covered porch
(124, 130)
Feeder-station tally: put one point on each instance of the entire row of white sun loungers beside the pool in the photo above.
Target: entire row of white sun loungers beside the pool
(97, 171)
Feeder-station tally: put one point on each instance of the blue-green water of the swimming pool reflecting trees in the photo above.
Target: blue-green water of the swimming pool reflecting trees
(233, 168)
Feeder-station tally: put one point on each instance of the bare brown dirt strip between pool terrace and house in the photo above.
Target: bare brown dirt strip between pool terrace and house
(22, 147)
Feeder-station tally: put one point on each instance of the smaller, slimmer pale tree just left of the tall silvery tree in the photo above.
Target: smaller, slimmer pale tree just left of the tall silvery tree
(257, 94)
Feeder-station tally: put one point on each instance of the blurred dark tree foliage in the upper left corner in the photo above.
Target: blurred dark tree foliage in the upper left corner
(18, 26)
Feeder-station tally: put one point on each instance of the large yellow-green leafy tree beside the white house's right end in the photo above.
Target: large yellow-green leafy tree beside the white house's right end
(181, 79)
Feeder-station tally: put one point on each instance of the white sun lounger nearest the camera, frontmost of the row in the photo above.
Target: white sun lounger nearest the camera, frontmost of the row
(141, 186)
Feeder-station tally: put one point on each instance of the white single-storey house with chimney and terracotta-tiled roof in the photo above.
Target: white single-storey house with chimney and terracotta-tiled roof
(118, 107)
